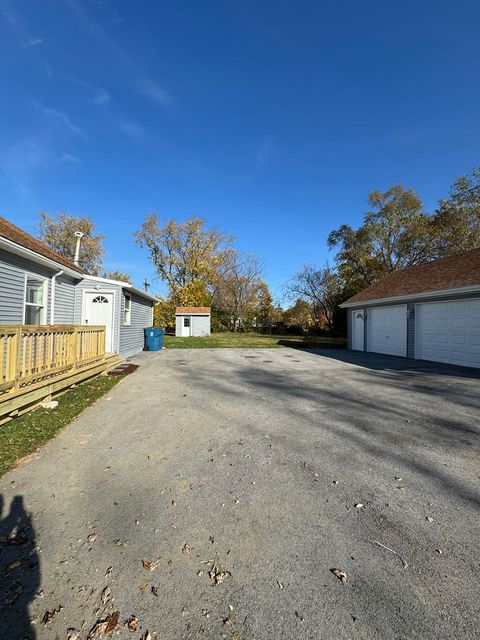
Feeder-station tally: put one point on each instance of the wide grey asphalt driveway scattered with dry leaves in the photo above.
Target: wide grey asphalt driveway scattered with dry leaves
(238, 472)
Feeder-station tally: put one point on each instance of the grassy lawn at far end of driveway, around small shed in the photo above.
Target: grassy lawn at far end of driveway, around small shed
(249, 341)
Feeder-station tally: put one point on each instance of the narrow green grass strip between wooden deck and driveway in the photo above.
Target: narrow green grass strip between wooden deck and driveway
(25, 434)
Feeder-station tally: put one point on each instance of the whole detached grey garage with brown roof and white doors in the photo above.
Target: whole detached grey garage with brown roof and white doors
(429, 312)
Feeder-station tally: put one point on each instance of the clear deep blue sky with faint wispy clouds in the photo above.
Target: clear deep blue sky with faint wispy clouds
(270, 119)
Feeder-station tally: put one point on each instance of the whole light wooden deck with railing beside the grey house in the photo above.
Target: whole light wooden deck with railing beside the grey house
(38, 361)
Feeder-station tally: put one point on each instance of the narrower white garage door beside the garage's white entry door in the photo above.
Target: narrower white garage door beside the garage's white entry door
(387, 330)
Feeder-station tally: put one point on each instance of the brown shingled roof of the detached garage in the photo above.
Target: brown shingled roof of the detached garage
(455, 272)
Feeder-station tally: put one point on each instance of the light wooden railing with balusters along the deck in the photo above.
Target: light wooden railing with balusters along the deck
(30, 354)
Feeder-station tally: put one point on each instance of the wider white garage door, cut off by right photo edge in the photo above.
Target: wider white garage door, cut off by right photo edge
(449, 332)
